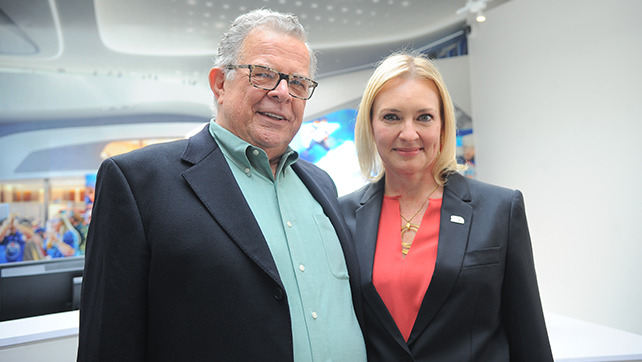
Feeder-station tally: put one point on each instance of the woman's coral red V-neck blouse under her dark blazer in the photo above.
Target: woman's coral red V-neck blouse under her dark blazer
(402, 282)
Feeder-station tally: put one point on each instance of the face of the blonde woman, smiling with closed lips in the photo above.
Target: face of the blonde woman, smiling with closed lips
(406, 122)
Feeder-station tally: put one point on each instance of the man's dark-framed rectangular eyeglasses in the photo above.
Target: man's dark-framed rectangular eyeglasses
(268, 79)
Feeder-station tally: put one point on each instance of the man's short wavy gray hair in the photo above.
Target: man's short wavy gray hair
(229, 50)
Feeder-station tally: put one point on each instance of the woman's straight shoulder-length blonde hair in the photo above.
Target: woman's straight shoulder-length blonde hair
(411, 66)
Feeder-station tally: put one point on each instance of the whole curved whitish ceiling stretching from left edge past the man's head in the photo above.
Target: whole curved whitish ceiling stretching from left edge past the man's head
(74, 59)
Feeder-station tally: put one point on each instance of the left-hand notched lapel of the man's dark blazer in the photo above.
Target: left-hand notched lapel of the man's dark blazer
(213, 183)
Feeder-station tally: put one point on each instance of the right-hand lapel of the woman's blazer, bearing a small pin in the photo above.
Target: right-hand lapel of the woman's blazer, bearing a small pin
(456, 214)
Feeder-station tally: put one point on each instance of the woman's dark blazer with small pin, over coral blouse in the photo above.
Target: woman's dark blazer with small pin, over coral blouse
(483, 302)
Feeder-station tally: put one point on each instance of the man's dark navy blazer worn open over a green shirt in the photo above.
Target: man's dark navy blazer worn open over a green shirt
(177, 268)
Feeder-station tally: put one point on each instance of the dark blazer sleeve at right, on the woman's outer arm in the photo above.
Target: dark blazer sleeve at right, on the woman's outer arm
(522, 314)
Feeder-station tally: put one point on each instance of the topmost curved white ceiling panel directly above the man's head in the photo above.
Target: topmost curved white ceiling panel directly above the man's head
(191, 27)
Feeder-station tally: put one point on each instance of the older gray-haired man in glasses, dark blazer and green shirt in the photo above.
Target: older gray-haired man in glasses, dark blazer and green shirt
(225, 246)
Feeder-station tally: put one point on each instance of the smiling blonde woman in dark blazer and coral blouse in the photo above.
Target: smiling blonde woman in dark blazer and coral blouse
(447, 270)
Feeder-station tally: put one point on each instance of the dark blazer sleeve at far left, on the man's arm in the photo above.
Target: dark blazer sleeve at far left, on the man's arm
(114, 291)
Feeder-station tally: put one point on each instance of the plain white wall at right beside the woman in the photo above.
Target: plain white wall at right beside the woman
(555, 91)
